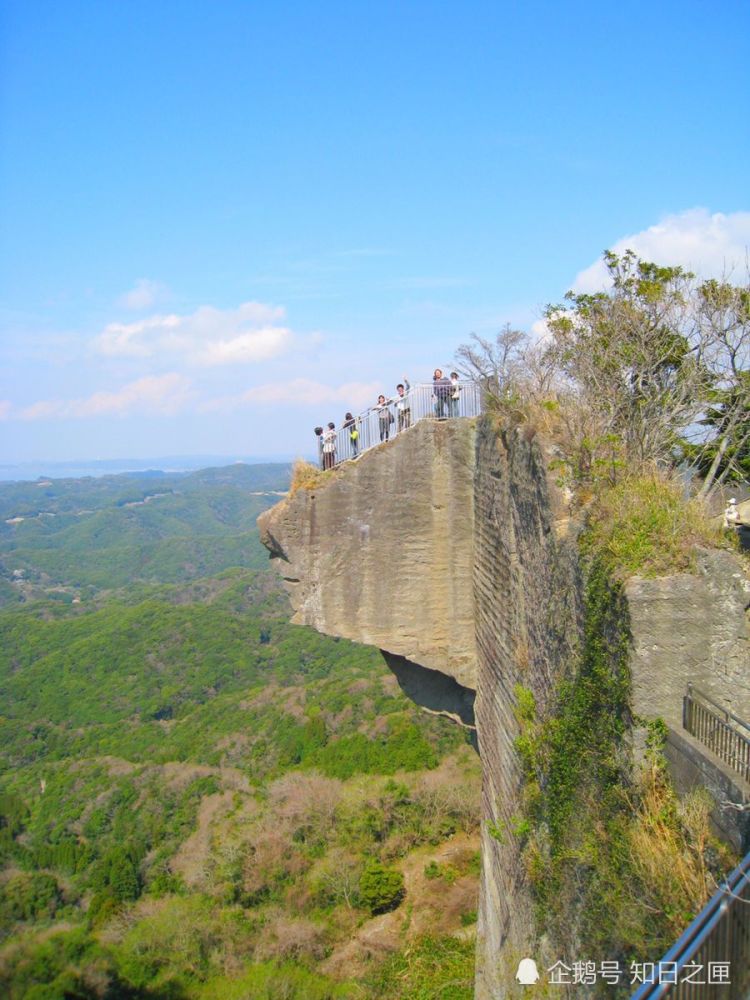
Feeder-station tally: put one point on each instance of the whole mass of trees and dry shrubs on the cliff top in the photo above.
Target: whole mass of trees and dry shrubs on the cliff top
(653, 372)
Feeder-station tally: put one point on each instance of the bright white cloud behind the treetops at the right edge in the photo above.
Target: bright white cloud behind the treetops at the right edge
(709, 245)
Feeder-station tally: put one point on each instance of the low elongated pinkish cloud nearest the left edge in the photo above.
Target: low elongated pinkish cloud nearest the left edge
(158, 395)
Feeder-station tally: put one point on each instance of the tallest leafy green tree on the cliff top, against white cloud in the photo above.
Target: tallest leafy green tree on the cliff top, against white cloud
(626, 355)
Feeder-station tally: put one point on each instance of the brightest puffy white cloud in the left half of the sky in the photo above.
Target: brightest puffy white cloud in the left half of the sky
(208, 336)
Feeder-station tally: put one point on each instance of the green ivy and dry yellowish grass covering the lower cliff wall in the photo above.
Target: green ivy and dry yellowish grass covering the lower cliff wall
(616, 863)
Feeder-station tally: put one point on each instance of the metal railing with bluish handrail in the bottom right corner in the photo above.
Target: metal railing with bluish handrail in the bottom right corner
(711, 959)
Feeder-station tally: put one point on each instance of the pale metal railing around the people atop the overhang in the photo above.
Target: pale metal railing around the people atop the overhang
(379, 424)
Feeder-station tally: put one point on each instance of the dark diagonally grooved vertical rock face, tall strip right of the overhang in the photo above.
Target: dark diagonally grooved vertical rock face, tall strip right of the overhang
(526, 610)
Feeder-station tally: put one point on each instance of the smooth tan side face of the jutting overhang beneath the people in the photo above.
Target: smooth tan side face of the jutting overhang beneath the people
(382, 552)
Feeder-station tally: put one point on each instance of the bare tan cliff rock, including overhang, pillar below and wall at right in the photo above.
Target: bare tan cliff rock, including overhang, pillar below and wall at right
(452, 550)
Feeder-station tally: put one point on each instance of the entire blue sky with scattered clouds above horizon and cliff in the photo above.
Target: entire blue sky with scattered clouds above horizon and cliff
(224, 222)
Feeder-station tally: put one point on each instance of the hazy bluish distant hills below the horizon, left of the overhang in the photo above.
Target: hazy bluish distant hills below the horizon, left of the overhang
(65, 539)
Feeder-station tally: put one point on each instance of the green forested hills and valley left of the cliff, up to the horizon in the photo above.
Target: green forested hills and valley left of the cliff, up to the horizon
(199, 799)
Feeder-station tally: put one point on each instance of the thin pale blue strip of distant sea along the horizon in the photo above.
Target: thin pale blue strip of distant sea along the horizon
(116, 466)
